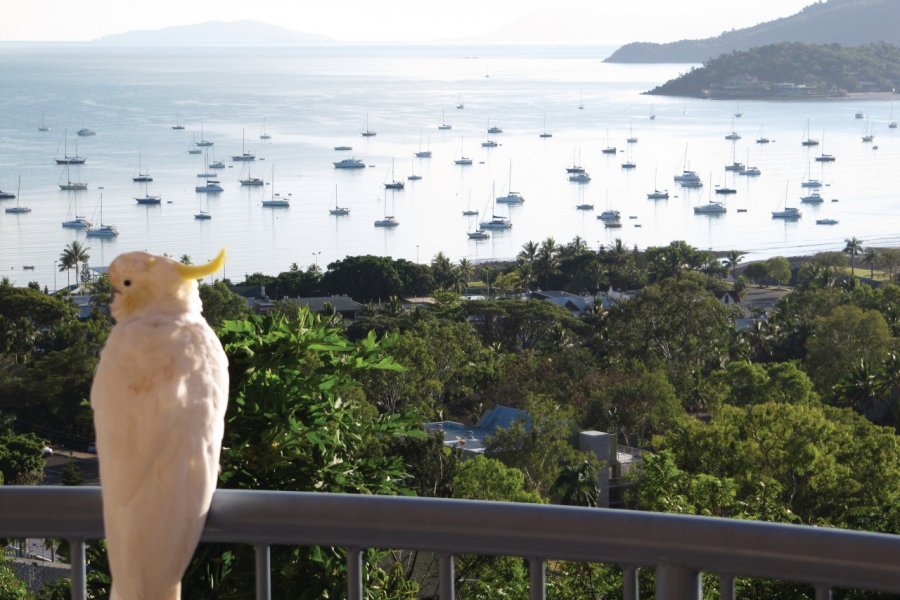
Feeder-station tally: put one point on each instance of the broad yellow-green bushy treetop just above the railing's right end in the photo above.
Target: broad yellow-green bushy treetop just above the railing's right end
(823, 465)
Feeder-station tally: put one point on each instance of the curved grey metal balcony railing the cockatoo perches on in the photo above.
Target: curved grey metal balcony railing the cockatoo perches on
(678, 547)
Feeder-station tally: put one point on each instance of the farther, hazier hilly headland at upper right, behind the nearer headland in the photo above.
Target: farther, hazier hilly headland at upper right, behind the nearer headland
(844, 22)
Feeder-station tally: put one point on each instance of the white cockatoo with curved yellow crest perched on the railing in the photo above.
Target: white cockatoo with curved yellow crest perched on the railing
(159, 398)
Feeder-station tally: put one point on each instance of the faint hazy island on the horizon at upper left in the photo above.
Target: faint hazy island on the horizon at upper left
(217, 33)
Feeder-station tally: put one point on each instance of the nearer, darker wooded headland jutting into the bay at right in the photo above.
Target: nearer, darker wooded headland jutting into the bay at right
(791, 71)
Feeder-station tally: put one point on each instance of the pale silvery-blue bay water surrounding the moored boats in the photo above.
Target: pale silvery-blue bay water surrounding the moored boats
(312, 99)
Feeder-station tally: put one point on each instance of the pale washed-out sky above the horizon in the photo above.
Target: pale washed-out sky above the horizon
(601, 21)
